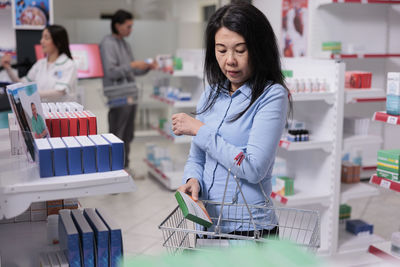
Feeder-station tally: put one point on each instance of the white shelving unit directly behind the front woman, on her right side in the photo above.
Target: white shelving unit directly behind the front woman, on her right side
(315, 164)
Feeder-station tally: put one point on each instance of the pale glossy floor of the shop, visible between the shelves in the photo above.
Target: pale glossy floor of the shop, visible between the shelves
(139, 213)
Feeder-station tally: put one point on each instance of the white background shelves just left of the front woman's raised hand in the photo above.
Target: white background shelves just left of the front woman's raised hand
(190, 81)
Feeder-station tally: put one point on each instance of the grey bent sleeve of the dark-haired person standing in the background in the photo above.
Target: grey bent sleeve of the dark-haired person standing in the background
(112, 68)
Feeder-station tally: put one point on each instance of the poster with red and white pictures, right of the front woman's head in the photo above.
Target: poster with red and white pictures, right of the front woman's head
(294, 28)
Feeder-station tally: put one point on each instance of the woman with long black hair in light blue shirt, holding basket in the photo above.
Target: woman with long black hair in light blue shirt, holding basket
(243, 110)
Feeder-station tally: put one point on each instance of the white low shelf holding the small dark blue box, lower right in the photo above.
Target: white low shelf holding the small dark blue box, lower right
(349, 242)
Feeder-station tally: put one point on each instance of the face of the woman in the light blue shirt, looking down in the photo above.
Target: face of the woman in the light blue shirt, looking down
(232, 57)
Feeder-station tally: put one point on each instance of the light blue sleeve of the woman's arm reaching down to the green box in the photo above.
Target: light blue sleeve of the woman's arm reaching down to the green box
(195, 163)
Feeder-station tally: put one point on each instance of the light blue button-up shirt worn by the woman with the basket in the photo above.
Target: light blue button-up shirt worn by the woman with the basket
(256, 133)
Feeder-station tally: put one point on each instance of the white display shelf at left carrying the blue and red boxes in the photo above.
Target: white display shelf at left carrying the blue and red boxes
(20, 185)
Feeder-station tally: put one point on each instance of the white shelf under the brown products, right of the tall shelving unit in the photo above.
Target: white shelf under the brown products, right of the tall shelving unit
(357, 190)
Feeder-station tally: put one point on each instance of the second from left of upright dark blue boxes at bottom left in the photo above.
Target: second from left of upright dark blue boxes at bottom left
(86, 237)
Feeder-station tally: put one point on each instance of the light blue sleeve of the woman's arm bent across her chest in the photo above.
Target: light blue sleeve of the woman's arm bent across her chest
(268, 124)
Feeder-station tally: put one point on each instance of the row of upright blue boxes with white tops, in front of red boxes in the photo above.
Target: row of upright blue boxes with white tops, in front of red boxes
(78, 155)
